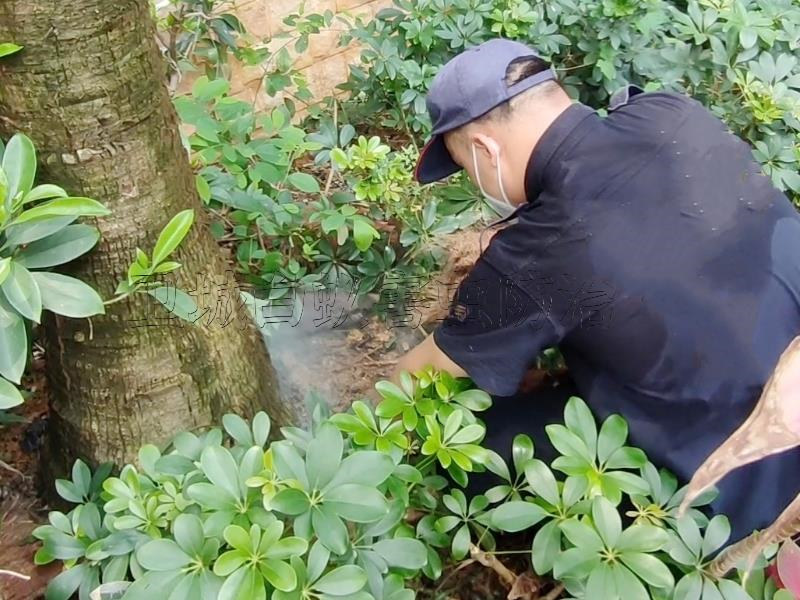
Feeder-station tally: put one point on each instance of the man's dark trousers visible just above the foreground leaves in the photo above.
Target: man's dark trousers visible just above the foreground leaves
(525, 412)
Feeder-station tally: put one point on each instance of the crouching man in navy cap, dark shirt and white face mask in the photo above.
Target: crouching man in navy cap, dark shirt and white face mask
(646, 244)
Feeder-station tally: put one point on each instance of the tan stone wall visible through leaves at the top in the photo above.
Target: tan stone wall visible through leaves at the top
(324, 63)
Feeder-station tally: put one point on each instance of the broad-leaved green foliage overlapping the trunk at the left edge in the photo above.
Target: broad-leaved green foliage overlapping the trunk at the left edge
(36, 234)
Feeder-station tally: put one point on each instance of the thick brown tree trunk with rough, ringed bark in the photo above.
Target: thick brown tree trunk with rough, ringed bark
(88, 88)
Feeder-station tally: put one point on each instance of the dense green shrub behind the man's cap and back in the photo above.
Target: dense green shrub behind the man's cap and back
(738, 57)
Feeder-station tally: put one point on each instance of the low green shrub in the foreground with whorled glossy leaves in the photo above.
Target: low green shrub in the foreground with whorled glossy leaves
(357, 507)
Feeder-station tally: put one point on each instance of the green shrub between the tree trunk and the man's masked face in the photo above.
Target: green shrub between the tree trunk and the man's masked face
(290, 229)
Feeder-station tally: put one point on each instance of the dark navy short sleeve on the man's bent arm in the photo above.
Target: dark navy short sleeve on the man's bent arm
(495, 330)
